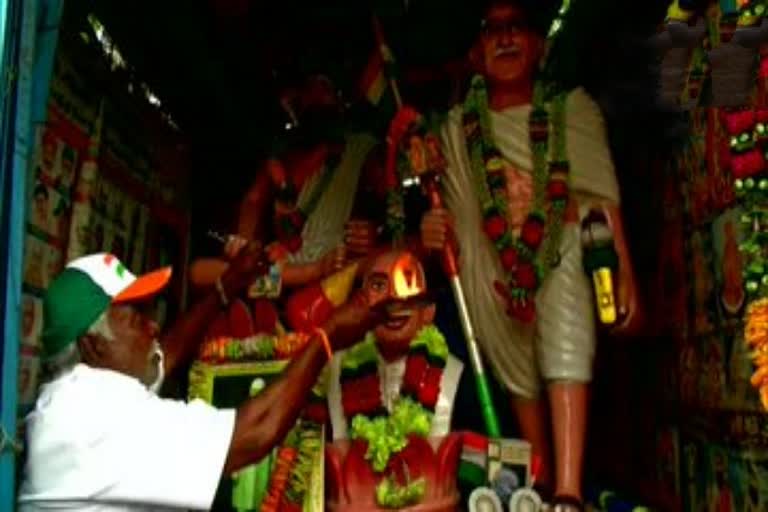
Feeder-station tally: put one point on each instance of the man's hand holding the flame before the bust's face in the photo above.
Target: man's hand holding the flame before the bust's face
(350, 322)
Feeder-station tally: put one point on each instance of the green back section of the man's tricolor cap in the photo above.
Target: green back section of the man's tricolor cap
(72, 302)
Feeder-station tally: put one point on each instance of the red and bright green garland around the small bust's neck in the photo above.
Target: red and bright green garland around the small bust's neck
(387, 434)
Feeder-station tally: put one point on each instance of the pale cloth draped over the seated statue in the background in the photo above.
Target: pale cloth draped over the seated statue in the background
(324, 229)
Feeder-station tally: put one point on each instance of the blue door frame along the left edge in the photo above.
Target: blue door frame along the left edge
(28, 37)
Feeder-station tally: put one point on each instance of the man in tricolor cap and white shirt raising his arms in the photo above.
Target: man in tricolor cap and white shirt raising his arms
(100, 438)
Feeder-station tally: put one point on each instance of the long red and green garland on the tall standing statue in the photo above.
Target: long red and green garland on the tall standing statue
(528, 257)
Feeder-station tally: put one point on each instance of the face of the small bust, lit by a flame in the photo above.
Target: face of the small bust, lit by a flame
(397, 281)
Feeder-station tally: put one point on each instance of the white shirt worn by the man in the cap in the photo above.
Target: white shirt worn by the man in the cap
(100, 441)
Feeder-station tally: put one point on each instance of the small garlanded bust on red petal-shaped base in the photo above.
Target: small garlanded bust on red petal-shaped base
(390, 400)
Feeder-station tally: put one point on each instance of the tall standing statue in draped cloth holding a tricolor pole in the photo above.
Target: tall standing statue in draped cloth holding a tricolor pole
(513, 155)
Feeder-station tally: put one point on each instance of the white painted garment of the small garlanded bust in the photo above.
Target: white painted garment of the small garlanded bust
(391, 378)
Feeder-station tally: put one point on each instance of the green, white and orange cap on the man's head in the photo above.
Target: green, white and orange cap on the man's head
(84, 290)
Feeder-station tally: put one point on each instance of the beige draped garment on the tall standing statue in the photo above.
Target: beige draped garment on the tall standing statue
(560, 344)
